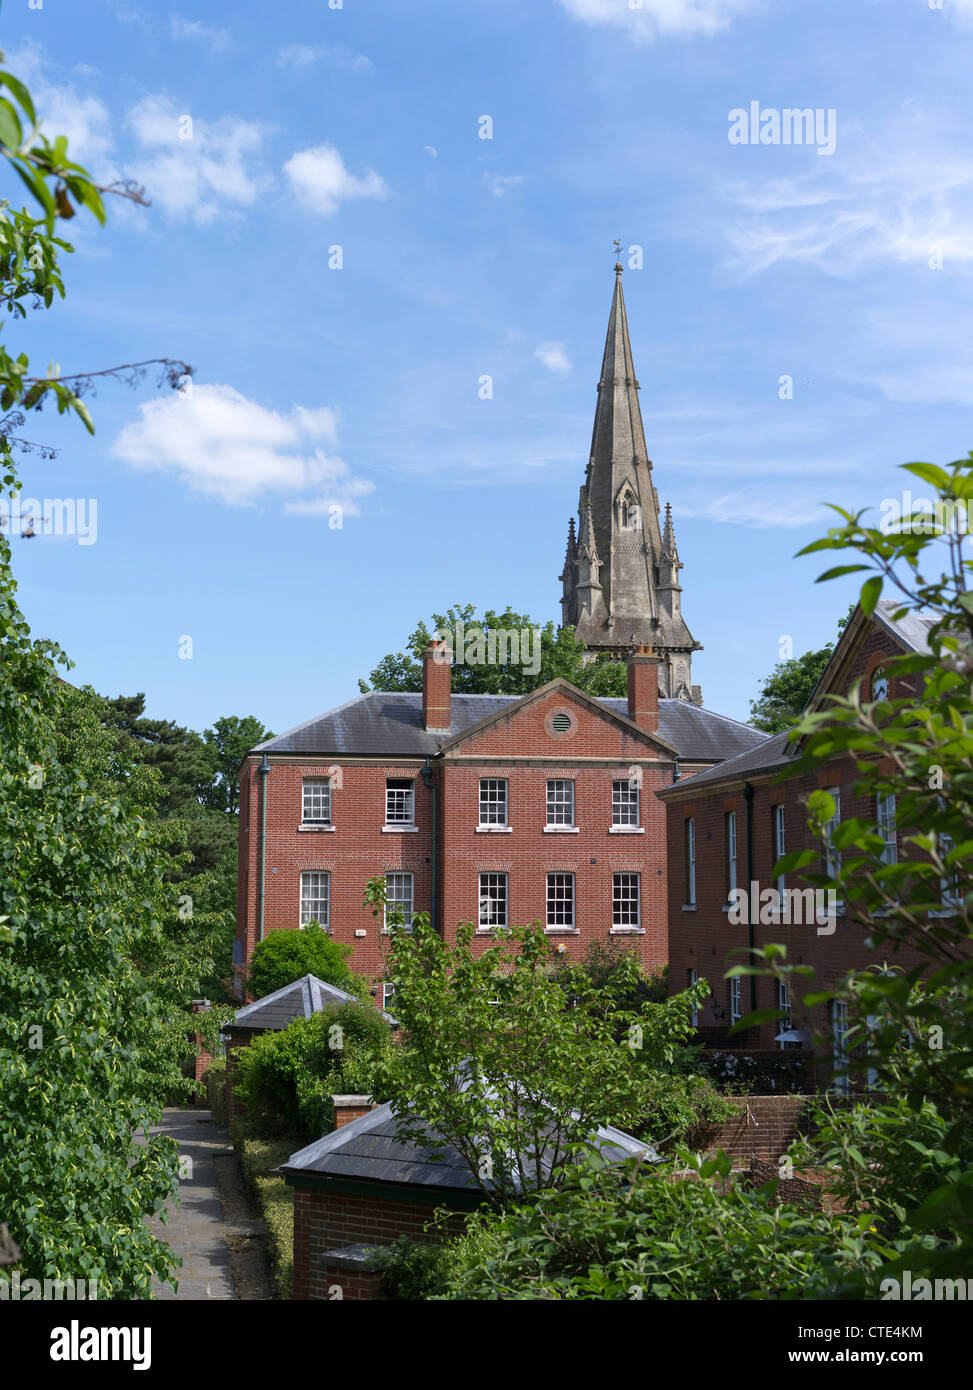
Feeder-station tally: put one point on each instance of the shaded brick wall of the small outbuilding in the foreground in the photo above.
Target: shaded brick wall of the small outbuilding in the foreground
(326, 1221)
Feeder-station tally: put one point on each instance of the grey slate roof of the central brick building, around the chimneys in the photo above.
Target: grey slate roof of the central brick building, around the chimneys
(390, 725)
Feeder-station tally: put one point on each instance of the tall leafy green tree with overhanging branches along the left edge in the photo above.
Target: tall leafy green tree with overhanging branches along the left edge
(87, 1042)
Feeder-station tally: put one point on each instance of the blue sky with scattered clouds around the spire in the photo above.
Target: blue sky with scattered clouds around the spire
(359, 129)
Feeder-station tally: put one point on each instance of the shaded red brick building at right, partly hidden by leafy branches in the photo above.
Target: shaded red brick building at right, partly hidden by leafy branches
(728, 828)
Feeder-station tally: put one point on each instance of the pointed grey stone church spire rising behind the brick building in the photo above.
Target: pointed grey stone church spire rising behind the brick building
(622, 569)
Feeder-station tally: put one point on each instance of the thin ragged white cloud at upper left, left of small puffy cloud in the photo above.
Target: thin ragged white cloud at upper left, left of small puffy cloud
(204, 177)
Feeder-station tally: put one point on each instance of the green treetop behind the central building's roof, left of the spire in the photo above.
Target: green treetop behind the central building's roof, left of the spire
(559, 654)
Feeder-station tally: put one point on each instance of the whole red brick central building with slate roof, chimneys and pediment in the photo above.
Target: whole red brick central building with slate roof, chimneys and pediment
(491, 810)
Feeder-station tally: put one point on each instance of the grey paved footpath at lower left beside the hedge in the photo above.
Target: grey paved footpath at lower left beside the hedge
(195, 1228)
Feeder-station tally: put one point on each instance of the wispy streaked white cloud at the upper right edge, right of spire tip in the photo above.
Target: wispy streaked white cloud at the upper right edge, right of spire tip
(903, 202)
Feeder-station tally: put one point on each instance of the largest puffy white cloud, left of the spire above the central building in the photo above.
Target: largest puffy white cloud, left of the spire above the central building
(237, 451)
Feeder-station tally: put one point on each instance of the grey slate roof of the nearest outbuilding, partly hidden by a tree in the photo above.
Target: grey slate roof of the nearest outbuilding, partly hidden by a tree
(368, 1150)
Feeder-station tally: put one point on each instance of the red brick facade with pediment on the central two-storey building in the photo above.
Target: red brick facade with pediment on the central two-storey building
(521, 749)
